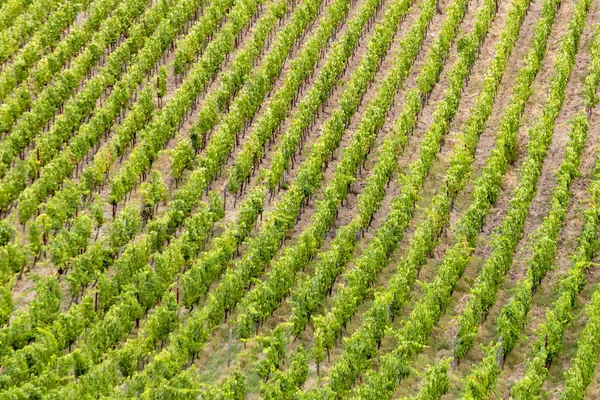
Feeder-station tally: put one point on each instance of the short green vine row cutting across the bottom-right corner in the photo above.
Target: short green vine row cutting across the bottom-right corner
(583, 365)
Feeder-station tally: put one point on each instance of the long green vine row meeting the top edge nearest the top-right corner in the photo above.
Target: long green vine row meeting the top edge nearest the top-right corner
(483, 294)
